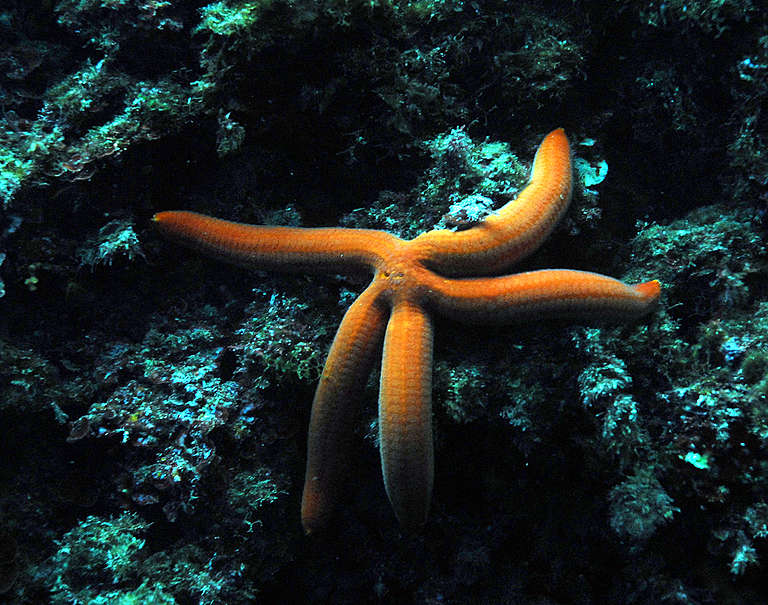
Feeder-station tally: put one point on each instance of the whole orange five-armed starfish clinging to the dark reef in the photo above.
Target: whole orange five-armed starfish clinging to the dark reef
(412, 281)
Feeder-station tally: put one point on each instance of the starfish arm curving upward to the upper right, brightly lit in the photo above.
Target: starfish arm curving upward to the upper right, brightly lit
(515, 230)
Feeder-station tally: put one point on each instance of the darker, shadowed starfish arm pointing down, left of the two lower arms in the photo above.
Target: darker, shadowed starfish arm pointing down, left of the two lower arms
(343, 379)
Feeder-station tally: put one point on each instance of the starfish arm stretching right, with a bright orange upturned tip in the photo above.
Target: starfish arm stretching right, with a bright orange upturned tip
(538, 294)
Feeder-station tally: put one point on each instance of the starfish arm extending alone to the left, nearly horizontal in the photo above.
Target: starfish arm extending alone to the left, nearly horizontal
(283, 248)
